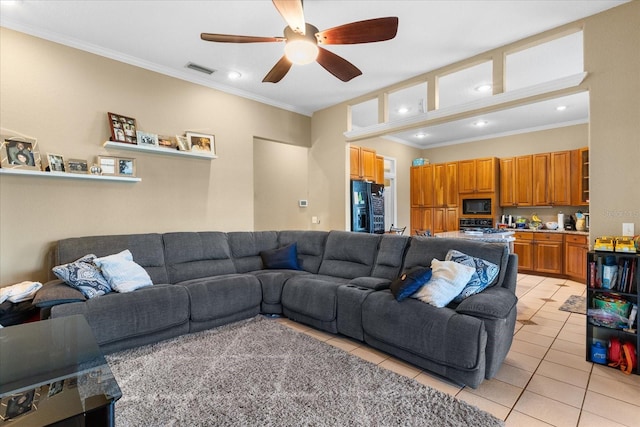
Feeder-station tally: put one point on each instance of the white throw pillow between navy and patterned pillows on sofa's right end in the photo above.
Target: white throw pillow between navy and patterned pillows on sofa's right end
(447, 281)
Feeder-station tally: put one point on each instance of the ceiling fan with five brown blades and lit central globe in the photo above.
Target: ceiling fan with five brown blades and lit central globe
(302, 41)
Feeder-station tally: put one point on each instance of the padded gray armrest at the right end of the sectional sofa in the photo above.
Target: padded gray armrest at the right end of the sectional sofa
(492, 303)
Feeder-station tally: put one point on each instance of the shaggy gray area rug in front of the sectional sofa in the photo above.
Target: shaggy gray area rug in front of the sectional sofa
(260, 373)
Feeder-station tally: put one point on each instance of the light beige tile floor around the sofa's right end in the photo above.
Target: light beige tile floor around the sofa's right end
(545, 379)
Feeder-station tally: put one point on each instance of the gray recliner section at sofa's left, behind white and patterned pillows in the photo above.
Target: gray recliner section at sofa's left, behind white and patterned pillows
(145, 316)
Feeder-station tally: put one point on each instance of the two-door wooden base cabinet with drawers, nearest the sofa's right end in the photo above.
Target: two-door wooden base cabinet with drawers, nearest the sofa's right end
(539, 252)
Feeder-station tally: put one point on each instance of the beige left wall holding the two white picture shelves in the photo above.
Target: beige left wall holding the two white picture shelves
(61, 96)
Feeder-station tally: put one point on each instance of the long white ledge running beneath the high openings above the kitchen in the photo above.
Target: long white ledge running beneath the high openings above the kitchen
(501, 101)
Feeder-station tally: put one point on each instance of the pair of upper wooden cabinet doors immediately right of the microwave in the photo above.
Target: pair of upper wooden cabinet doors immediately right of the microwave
(516, 187)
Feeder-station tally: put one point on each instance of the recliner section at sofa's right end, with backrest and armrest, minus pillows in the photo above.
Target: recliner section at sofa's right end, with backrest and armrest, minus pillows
(466, 342)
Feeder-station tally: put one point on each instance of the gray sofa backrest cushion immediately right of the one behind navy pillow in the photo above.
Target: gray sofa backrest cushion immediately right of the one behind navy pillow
(349, 255)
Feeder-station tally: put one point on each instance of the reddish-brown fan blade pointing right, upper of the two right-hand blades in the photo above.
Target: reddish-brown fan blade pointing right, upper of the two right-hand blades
(368, 31)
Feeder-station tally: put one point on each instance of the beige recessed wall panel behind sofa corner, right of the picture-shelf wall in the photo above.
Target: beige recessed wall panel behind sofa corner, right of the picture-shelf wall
(279, 182)
